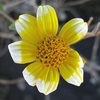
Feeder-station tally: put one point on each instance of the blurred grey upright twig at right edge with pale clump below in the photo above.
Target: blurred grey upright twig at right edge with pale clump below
(91, 67)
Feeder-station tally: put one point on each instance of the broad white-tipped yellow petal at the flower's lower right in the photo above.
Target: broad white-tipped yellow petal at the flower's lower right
(71, 70)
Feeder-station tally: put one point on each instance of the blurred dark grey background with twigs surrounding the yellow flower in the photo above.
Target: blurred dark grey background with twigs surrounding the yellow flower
(12, 84)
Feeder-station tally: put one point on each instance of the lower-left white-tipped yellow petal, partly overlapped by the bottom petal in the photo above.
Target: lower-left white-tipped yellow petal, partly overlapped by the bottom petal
(31, 72)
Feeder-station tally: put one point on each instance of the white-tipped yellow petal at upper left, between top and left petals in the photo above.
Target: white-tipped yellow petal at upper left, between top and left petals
(26, 27)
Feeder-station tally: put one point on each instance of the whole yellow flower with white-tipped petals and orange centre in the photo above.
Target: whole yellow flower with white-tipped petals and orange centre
(48, 52)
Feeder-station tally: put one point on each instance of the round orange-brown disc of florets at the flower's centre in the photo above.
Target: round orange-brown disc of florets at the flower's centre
(52, 51)
